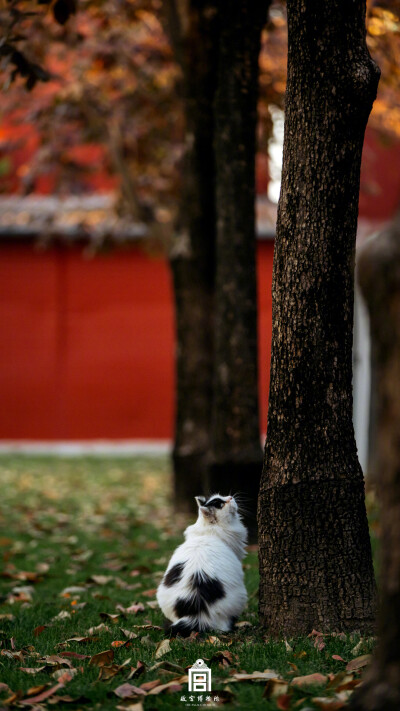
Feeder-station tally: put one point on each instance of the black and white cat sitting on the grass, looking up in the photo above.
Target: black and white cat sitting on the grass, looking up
(203, 587)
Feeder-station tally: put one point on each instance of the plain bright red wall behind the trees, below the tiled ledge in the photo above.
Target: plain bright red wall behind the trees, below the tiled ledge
(86, 344)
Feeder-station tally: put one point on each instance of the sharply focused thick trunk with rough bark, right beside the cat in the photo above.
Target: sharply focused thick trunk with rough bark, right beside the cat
(315, 556)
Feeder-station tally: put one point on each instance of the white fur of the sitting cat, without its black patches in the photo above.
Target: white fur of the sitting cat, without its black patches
(214, 546)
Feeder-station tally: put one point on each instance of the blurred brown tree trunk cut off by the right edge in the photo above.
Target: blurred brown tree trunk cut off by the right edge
(379, 277)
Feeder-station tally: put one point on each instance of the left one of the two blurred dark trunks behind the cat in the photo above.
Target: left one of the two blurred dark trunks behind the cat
(192, 28)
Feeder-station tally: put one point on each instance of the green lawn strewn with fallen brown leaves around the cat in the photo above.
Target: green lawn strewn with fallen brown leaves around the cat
(84, 543)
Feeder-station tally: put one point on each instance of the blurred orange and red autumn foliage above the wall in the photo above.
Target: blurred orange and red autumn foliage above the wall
(105, 108)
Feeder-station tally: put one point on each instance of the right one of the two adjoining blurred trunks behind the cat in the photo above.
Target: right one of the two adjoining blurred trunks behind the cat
(236, 456)
